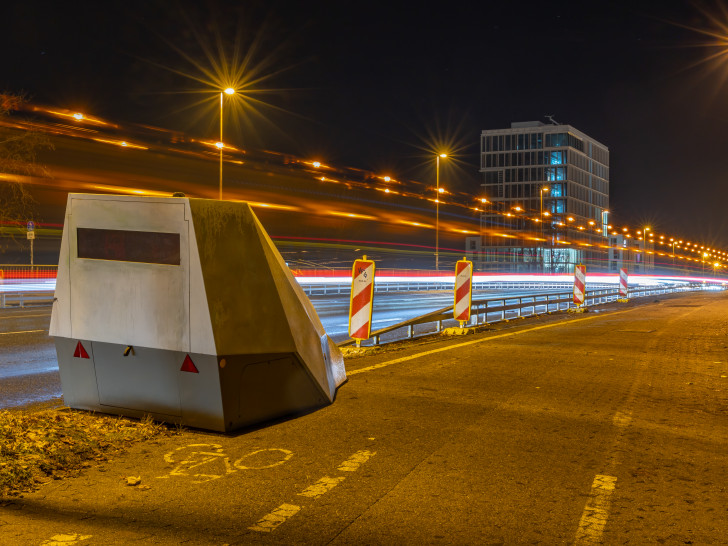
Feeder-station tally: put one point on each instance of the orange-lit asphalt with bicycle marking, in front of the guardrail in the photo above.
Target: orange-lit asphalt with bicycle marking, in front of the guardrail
(603, 427)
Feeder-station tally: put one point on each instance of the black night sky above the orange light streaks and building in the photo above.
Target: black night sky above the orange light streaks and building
(376, 85)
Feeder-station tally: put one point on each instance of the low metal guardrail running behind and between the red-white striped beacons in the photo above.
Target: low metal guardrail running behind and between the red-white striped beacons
(511, 307)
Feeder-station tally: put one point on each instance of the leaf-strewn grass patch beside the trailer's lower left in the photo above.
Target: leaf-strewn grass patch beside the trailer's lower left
(37, 447)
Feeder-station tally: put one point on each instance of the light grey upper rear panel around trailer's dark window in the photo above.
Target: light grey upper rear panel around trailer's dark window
(127, 302)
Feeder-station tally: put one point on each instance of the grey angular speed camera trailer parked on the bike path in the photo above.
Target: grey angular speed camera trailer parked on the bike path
(183, 309)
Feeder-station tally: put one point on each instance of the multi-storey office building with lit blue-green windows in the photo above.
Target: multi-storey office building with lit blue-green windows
(548, 192)
